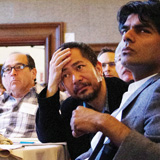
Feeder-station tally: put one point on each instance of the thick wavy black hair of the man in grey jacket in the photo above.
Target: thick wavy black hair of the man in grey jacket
(148, 13)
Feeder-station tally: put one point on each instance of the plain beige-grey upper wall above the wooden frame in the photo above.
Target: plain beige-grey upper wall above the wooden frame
(92, 21)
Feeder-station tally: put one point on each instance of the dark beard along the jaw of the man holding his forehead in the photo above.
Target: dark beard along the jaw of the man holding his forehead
(90, 96)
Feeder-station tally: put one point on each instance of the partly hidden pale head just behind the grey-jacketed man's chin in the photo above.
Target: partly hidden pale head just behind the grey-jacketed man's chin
(123, 72)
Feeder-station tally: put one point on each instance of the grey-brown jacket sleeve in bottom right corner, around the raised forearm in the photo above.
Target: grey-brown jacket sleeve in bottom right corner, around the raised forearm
(139, 146)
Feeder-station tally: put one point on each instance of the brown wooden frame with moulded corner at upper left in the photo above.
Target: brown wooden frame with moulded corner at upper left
(51, 35)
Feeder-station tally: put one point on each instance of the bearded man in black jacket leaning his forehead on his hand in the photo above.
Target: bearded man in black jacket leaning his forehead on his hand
(76, 68)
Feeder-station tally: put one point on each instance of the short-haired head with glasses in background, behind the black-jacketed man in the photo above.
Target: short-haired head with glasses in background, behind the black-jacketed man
(106, 57)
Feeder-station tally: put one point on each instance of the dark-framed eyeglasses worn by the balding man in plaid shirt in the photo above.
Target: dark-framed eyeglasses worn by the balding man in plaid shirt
(17, 67)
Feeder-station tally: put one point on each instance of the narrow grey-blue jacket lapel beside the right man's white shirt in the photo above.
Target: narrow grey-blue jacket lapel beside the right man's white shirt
(139, 90)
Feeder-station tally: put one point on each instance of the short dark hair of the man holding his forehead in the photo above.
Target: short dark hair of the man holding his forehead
(85, 50)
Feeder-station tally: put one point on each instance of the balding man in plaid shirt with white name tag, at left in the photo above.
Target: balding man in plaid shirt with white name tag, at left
(18, 104)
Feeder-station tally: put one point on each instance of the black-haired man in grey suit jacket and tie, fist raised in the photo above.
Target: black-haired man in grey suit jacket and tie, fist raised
(137, 136)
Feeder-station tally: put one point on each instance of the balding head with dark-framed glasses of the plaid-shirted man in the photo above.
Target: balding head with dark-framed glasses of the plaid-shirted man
(18, 74)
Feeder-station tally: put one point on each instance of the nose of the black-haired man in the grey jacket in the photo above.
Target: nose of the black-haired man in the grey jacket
(129, 36)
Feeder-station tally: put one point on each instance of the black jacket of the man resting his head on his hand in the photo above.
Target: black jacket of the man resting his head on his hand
(53, 127)
